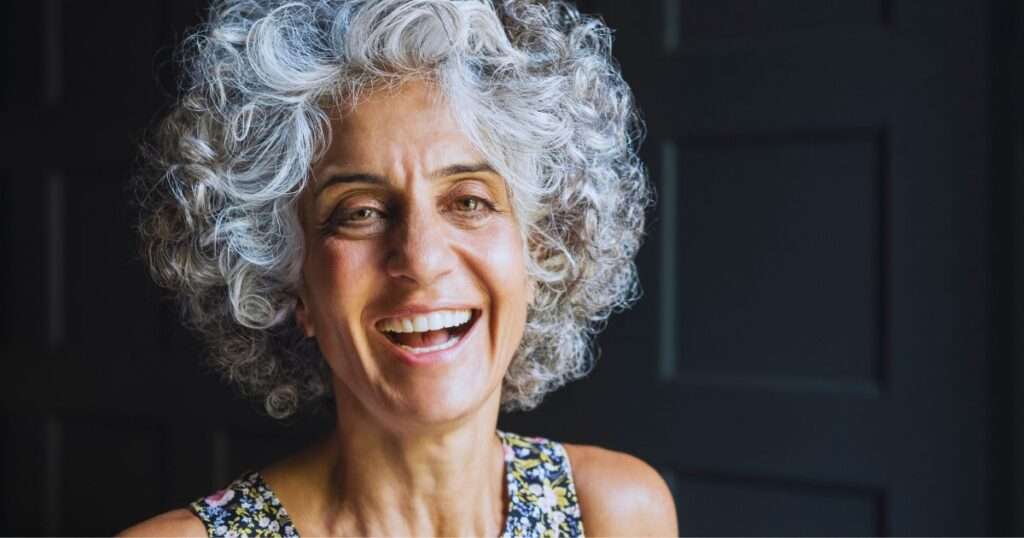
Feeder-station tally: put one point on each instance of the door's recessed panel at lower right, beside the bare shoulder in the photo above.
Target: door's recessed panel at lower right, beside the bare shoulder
(716, 507)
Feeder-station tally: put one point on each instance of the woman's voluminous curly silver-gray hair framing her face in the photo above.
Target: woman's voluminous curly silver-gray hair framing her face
(533, 85)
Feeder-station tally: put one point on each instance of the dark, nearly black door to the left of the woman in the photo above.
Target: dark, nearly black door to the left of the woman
(109, 417)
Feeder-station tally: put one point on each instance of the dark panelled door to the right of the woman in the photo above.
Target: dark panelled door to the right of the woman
(812, 356)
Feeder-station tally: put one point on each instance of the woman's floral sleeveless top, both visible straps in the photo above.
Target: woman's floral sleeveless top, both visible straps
(539, 482)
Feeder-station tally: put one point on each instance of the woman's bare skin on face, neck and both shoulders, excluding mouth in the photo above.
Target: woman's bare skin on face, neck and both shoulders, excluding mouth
(415, 450)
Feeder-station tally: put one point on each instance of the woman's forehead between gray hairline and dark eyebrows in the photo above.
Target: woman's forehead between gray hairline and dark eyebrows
(408, 126)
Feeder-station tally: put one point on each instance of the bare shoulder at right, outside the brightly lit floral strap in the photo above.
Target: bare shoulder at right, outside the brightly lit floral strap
(620, 494)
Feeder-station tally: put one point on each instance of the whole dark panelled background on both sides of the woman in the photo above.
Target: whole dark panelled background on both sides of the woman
(830, 338)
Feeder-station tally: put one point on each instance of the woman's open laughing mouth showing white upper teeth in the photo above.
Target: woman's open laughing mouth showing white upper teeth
(432, 333)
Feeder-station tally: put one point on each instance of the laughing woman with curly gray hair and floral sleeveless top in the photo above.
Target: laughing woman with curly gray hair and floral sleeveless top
(418, 212)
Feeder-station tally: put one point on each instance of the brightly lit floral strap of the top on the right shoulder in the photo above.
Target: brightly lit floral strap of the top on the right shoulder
(541, 489)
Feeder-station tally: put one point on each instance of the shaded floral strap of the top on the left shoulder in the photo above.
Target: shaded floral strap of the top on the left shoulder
(246, 508)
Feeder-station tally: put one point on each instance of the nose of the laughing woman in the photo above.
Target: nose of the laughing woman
(421, 252)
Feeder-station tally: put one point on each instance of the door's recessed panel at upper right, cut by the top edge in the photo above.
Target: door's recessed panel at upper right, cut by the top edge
(704, 19)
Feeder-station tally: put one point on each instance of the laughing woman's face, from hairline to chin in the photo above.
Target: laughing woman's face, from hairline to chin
(409, 232)
